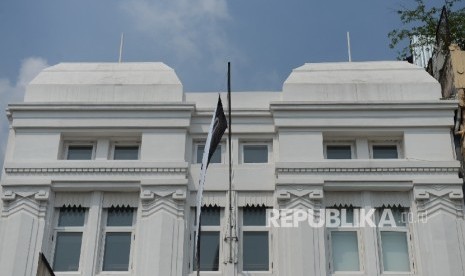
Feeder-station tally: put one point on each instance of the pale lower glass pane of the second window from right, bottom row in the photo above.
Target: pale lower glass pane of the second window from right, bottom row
(345, 251)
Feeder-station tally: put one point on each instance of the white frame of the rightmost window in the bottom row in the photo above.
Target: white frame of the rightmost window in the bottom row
(402, 229)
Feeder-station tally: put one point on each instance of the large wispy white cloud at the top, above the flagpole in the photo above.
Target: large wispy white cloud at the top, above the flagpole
(191, 29)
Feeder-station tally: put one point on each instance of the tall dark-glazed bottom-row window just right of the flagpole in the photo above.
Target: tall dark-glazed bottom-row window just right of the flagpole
(255, 240)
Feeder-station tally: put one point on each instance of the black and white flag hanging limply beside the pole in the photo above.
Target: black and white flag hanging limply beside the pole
(217, 128)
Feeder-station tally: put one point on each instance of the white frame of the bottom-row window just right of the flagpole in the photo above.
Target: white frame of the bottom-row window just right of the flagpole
(253, 228)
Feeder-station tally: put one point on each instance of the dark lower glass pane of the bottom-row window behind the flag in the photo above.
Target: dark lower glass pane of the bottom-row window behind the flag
(209, 251)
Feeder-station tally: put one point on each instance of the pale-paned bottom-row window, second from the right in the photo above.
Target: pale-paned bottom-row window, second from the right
(344, 244)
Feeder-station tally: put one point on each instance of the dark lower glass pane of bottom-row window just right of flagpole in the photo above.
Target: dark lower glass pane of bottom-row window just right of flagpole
(255, 251)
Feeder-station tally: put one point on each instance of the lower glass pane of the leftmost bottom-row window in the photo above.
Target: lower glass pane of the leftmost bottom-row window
(67, 251)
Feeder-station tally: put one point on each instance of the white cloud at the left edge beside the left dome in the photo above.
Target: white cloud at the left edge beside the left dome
(10, 93)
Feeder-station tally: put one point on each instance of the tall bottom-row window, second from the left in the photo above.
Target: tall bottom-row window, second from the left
(117, 239)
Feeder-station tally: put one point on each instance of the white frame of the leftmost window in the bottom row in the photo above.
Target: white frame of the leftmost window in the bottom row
(68, 229)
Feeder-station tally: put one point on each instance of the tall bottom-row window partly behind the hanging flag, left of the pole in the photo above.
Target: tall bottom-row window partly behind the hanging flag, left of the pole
(209, 239)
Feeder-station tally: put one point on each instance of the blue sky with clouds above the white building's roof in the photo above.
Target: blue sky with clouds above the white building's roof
(263, 39)
